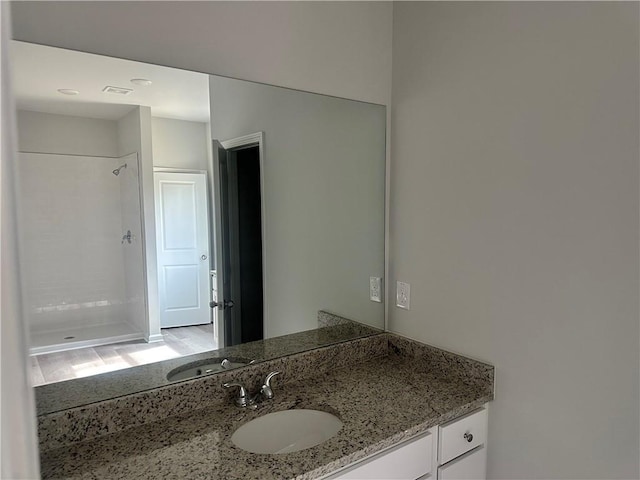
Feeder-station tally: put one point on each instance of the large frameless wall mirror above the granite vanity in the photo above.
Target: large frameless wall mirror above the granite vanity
(165, 213)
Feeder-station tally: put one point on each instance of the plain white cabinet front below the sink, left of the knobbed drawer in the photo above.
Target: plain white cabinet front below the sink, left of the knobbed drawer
(408, 461)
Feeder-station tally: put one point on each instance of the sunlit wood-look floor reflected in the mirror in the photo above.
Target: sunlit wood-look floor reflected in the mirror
(83, 362)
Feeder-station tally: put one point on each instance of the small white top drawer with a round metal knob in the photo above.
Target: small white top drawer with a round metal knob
(462, 434)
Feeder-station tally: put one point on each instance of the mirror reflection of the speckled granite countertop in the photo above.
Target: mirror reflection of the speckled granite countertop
(59, 396)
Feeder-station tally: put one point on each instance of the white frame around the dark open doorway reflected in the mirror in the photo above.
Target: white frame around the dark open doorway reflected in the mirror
(253, 139)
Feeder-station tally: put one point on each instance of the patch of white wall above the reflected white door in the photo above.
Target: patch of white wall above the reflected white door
(179, 144)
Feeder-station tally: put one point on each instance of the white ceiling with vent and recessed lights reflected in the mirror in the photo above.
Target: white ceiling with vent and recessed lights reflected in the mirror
(39, 71)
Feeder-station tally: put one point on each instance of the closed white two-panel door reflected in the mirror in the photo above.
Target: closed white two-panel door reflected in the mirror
(182, 240)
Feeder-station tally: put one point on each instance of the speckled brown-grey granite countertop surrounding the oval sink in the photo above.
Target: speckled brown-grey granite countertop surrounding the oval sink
(381, 401)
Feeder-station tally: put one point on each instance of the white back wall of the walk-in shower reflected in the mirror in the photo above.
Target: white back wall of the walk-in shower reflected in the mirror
(65, 219)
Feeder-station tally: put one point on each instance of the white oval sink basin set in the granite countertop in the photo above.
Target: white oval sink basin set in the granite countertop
(287, 431)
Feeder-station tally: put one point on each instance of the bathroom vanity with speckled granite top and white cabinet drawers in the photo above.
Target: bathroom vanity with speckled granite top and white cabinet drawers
(407, 410)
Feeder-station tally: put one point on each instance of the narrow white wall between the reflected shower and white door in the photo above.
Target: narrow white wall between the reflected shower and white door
(134, 135)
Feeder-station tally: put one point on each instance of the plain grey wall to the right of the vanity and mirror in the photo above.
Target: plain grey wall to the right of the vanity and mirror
(514, 216)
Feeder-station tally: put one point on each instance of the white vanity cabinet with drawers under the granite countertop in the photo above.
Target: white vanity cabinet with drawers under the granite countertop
(456, 450)
